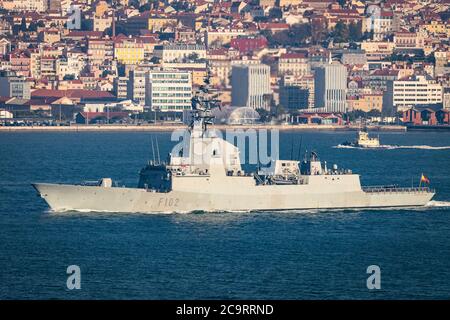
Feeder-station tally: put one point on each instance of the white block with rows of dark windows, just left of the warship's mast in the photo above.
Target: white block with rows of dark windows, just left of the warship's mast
(168, 90)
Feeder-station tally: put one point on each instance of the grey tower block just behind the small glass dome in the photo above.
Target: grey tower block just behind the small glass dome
(251, 86)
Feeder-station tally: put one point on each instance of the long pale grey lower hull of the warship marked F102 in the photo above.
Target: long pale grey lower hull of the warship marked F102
(259, 198)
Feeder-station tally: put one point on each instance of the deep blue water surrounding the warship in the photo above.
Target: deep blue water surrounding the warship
(267, 255)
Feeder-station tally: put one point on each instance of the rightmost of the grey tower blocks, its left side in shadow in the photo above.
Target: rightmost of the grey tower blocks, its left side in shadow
(330, 88)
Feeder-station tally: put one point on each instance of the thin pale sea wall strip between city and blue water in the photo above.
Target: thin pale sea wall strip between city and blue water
(171, 127)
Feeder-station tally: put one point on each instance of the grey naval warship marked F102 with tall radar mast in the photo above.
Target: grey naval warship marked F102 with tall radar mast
(207, 175)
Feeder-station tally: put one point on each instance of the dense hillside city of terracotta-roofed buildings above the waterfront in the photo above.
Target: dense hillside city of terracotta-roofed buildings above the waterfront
(276, 61)
